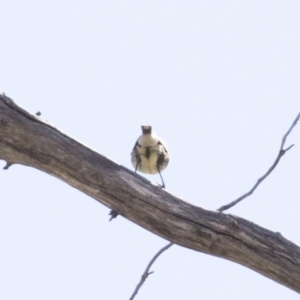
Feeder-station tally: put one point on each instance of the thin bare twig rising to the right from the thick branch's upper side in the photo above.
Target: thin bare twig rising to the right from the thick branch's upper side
(259, 181)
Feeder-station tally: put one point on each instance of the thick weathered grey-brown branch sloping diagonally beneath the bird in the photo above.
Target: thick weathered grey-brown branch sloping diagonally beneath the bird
(26, 140)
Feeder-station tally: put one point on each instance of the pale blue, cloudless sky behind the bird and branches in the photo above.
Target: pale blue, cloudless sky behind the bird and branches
(219, 81)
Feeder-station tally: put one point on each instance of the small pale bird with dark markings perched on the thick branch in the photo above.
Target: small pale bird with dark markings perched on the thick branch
(149, 154)
